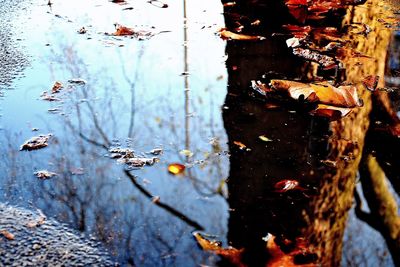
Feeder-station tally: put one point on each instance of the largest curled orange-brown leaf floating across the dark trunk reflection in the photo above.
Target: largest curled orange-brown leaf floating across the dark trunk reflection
(324, 92)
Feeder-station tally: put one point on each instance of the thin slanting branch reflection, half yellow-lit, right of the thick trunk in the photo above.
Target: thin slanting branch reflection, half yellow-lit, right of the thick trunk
(382, 204)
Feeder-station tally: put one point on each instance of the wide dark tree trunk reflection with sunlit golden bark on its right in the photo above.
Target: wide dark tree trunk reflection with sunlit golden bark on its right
(296, 150)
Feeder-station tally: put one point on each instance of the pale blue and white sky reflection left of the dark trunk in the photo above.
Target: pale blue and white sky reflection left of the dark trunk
(155, 80)
